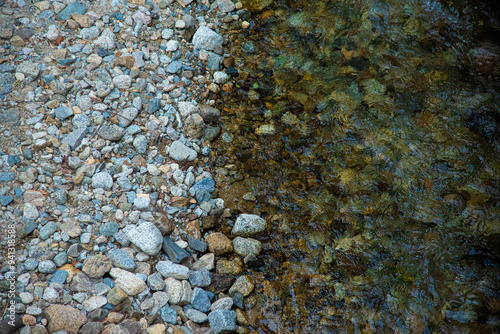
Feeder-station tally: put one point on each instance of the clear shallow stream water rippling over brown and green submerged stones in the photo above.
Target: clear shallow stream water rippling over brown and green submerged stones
(367, 132)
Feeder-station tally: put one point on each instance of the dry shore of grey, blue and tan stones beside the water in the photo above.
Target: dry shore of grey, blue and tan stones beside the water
(106, 122)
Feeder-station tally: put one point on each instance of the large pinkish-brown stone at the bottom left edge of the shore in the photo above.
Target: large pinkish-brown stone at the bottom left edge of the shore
(64, 318)
